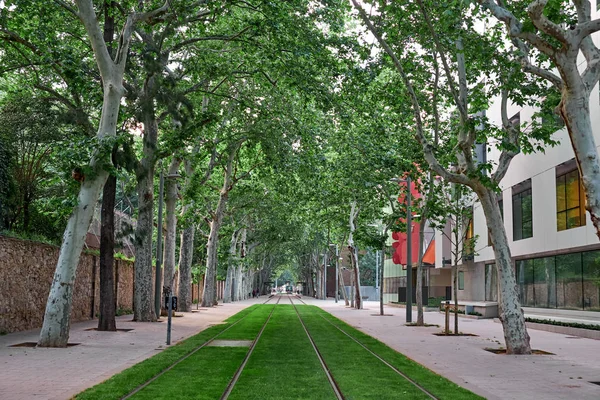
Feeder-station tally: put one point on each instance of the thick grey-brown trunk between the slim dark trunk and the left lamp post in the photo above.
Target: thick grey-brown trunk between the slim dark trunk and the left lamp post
(143, 307)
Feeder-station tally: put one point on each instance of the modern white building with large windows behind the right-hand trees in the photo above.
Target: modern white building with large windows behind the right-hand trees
(555, 250)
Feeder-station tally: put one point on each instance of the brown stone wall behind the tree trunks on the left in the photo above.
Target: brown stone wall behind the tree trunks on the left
(26, 272)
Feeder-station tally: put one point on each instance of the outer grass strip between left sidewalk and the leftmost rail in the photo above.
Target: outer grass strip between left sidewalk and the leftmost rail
(124, 382)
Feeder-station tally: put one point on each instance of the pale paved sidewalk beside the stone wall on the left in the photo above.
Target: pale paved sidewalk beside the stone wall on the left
(42, 373)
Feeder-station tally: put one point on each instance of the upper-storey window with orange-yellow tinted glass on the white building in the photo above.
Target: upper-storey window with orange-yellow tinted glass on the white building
(570, 201)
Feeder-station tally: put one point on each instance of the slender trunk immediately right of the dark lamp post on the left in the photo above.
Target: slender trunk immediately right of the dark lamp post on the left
(170, 237)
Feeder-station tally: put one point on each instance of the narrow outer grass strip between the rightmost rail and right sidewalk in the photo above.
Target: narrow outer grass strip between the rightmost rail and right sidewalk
(439, 386)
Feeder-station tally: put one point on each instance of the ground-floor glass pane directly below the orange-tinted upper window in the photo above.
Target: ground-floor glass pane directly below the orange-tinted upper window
(569, 281)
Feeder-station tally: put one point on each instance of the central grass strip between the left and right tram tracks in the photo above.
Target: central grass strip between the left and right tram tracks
(283, 364)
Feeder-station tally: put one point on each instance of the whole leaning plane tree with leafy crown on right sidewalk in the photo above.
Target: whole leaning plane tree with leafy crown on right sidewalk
(419, 39)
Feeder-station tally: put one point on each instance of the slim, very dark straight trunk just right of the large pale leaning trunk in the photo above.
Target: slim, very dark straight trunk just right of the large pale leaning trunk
(106, 320)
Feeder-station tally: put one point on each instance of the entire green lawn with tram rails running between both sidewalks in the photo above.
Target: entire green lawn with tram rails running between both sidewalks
(282, 365)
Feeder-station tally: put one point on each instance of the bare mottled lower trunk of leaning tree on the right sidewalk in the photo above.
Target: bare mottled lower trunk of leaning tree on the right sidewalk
(511, 315)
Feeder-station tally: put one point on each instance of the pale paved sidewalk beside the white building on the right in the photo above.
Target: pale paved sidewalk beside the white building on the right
(565, 375)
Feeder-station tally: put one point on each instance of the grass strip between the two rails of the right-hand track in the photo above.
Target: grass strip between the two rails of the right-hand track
(358, 374)
